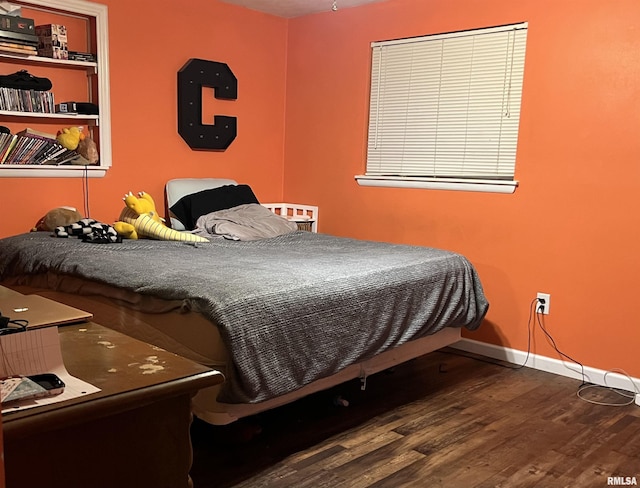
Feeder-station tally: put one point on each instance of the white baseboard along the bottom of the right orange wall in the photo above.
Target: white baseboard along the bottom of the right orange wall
(543, 363)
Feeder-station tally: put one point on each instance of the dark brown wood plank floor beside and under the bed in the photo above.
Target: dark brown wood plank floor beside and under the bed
(443, 420)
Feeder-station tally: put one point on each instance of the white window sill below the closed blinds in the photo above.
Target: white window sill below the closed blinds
(488, 186)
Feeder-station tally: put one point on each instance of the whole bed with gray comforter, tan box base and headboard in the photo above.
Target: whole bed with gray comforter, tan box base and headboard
(281, 316)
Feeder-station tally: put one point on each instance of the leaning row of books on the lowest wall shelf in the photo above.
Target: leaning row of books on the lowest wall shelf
(33, 147)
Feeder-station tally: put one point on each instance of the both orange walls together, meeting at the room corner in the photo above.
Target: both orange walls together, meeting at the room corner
(569, 230)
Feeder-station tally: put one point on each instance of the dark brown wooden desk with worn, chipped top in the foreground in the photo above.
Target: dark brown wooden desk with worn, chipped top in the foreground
(133, 433)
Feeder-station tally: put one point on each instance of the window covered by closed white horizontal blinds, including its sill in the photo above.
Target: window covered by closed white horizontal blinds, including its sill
(445, 109)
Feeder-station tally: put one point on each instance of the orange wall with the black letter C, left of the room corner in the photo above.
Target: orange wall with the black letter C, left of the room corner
(149, 43)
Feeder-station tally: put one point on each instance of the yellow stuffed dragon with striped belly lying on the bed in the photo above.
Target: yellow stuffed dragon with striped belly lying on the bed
(139, 218)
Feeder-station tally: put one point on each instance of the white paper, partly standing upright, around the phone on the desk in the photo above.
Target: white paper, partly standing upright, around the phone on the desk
(34, 352)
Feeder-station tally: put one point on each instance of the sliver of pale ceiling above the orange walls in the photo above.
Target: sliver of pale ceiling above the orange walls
(297, 8)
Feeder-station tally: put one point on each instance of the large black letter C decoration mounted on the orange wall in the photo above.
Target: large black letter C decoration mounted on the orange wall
(195, 74)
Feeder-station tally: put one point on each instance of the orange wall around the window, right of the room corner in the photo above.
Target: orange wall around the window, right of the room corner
(570, 229)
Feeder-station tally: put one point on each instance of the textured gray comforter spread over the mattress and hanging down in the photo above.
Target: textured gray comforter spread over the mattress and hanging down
(291, 309)
